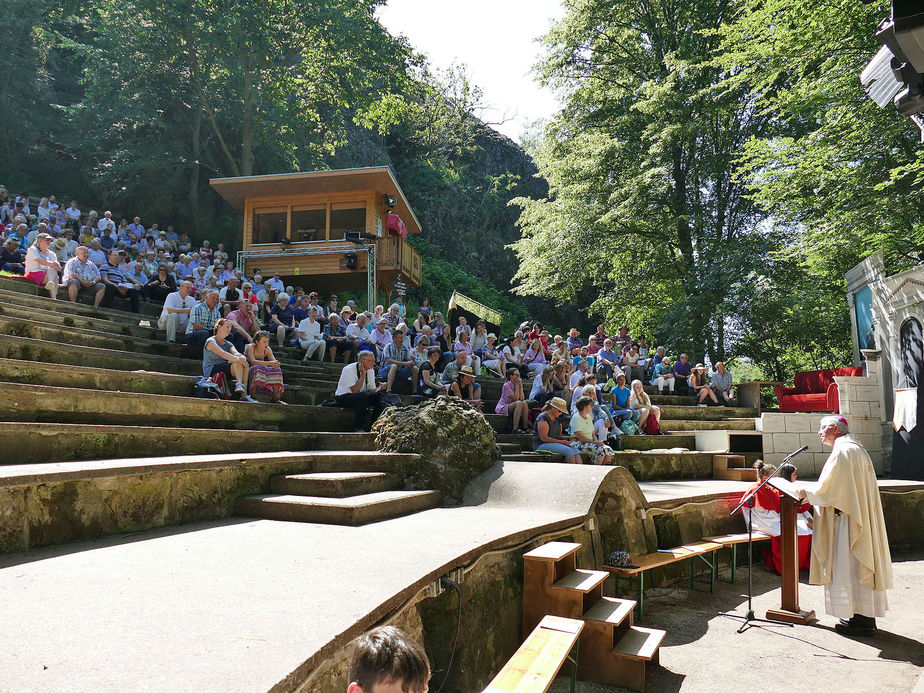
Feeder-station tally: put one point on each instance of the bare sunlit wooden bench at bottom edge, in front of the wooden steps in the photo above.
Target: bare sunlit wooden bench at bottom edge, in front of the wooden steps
(536, 663)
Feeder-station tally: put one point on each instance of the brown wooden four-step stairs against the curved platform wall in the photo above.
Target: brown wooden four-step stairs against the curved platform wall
(614, 651)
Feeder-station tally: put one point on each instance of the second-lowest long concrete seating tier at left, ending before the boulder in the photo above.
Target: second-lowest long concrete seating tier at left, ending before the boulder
(43, 403)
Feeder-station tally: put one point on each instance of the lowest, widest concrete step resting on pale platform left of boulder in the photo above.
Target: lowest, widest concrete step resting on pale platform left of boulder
(355, 510)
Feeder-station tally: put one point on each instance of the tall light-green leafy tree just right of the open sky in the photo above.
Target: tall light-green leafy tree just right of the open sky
(645, 205)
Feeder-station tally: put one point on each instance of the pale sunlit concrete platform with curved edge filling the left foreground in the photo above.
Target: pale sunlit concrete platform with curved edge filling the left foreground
(238, 605)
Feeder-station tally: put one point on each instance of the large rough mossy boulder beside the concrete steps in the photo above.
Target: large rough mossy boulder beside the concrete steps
(454, 441)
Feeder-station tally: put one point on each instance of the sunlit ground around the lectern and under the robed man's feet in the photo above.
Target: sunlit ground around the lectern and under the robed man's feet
(703, 652)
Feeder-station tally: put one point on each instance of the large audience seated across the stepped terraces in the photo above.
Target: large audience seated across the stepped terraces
(200, 289)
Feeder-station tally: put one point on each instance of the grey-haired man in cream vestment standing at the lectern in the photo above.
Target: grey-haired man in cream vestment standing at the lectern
(850, 549)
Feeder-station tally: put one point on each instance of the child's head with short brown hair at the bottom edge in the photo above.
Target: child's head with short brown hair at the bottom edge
(387, 661)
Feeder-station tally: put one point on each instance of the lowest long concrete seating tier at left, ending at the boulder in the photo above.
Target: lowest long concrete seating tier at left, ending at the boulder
(28, 443)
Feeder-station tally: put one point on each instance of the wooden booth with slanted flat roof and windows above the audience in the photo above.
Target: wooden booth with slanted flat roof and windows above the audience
(301, 225)
